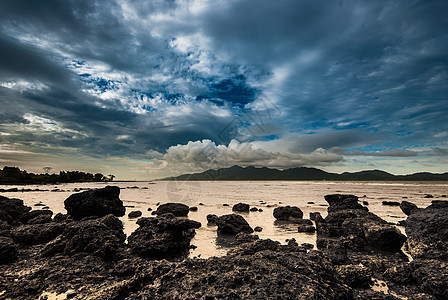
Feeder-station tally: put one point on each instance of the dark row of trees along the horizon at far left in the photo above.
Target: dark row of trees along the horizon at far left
(13, 175)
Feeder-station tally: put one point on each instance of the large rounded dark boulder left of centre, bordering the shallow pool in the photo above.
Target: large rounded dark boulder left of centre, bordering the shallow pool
(162, 237)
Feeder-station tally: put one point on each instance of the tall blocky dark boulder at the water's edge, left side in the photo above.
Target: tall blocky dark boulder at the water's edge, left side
(97, 203)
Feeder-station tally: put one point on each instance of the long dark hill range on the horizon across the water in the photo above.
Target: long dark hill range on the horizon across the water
(302, 173)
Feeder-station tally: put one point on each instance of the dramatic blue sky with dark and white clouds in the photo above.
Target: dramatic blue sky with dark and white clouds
(148, 89)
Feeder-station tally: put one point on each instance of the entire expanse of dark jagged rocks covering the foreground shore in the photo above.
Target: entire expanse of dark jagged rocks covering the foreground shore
(84, 254)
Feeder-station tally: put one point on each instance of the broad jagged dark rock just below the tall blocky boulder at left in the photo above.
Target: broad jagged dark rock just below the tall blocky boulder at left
(102, 237)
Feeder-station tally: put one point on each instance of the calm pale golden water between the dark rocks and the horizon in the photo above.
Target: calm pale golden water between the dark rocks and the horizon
(309, 196)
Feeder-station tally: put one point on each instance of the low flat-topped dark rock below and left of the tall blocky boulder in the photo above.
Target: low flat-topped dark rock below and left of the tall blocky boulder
(37, 234)
